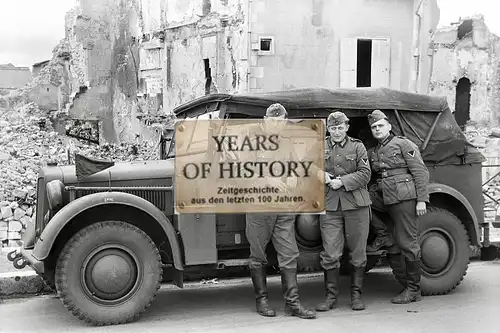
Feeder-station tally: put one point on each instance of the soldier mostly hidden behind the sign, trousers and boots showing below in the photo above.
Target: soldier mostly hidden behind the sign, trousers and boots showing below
(280, 228)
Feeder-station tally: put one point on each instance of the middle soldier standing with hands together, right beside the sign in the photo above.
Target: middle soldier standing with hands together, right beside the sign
(347, 173)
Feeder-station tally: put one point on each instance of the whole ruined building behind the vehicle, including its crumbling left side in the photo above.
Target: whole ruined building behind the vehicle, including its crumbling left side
(125, 62)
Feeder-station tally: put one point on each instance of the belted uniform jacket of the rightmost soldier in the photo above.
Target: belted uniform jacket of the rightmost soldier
(401, 173)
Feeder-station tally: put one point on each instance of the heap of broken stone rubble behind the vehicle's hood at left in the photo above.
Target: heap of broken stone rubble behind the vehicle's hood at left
(27, 143)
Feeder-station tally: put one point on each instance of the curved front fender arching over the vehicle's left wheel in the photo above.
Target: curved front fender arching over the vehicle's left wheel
(73, 209)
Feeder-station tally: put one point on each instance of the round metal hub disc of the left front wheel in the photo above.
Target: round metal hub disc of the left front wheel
(110, 274)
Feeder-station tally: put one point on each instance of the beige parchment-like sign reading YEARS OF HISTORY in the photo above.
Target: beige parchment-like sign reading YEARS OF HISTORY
(249, 166)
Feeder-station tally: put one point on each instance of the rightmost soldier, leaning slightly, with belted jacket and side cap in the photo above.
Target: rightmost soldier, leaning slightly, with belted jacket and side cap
(400, 190)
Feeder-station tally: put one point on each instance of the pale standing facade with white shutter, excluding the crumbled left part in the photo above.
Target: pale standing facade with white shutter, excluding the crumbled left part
(253, 46)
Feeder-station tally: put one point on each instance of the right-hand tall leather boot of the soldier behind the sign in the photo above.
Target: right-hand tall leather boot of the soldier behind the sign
(291, 295)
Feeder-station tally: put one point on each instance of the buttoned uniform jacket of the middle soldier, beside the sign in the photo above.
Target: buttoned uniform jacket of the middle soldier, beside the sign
(347, 161)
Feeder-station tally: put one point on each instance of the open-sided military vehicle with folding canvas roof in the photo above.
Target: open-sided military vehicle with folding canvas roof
(107, 242)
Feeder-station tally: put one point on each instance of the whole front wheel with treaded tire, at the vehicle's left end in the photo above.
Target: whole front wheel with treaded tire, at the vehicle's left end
(128, 294)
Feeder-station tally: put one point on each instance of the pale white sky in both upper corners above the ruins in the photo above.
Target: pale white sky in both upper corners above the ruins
(29, 29)
